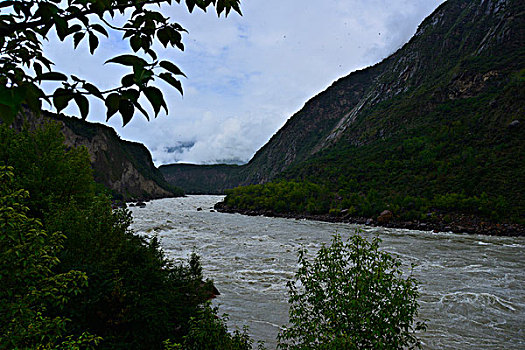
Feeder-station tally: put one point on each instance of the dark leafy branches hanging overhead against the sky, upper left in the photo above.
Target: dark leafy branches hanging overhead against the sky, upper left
(25, 24)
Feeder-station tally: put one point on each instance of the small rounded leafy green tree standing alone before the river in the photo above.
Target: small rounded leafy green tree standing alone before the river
(353, 296)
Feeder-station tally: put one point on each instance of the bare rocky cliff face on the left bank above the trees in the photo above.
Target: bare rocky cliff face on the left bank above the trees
(124, 167)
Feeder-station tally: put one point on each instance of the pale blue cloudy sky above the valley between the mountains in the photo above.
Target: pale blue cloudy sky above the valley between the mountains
(248, 74)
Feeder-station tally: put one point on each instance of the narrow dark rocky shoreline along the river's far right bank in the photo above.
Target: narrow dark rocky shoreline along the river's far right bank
(457, 224)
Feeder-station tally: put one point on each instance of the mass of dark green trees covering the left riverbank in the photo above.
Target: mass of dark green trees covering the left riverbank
(74, 275)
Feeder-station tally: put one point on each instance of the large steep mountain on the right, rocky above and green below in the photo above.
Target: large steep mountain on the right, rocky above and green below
(436, 130)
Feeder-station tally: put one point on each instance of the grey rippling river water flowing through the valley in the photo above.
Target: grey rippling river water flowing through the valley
(472, 287)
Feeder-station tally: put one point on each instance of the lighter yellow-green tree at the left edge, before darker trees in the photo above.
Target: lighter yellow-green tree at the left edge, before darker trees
(30, 284)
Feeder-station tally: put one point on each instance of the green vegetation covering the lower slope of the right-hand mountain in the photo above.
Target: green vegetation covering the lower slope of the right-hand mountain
(460, 157)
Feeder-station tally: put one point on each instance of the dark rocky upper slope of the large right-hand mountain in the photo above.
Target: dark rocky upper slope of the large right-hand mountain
(460, 51)
